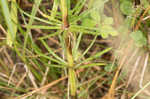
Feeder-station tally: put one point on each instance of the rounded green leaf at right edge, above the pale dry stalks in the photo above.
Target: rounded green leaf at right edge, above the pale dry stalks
(139, 38)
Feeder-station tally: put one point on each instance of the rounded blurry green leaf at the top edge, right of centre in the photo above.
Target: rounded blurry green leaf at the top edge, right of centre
(126, 7)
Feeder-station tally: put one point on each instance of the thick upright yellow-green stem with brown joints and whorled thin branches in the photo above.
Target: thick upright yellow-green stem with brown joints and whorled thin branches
(69, 56)
